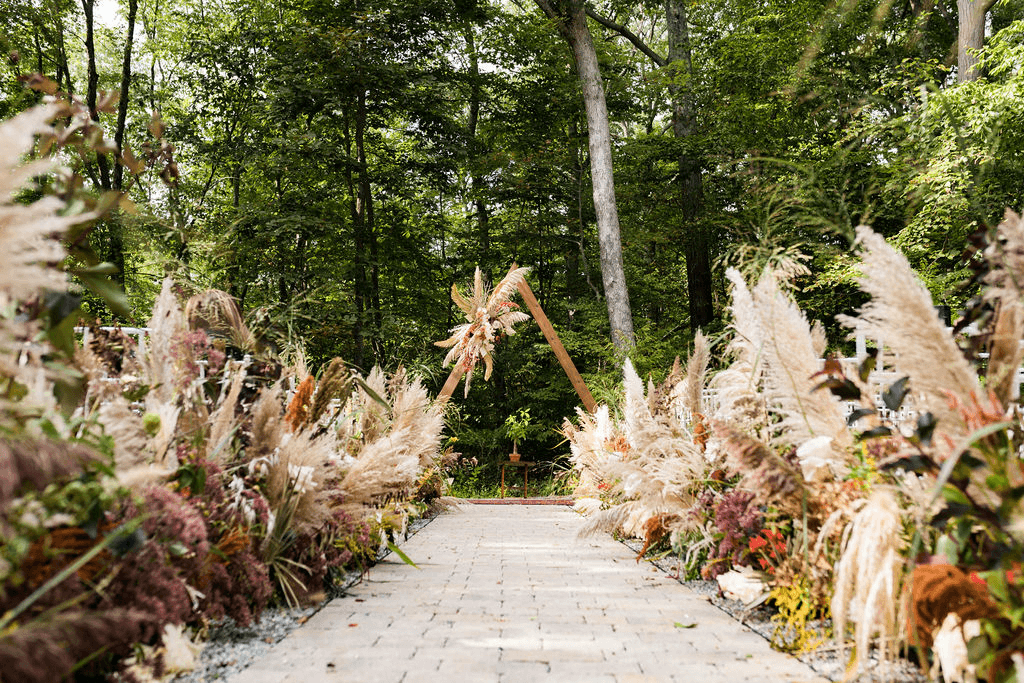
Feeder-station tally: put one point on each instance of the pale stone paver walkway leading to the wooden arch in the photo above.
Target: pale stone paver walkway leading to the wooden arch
(509, 593)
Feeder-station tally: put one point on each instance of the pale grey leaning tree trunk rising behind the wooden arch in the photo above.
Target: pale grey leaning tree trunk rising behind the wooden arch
(571, 19)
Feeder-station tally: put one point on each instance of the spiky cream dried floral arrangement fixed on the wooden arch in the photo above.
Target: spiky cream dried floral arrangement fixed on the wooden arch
(490, 316)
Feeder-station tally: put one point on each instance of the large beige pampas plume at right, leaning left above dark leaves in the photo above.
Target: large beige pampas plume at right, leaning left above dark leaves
(901, 313)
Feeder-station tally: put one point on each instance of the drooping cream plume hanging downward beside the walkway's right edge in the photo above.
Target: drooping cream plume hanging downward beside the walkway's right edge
(869, 577)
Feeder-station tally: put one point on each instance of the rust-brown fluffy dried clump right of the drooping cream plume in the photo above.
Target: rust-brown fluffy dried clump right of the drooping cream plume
(937, 590)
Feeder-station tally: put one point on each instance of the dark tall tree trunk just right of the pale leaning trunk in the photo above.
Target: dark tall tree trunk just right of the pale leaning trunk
(699, 277)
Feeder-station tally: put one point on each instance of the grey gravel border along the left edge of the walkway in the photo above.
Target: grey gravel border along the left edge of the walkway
(231, 649)
